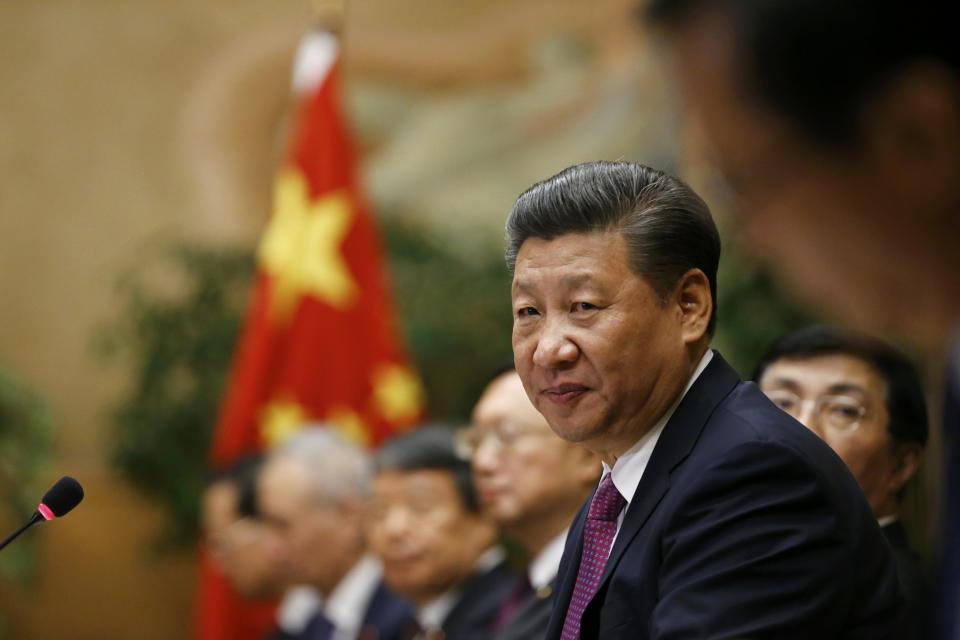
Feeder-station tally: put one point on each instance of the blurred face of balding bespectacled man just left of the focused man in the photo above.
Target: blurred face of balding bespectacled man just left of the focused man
(525, 475)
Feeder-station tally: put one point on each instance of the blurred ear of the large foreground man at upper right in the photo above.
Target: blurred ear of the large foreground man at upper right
(912, 134)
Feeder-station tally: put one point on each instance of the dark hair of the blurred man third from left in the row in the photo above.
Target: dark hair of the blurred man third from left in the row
(429, 447)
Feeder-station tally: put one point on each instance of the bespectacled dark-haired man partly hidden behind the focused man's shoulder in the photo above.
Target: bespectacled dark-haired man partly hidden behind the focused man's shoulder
(865, 400)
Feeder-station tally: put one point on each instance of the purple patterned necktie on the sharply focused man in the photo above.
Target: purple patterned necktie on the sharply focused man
(598, 534)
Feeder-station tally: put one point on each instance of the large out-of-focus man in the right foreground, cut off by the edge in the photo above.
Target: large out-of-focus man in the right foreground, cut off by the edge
(838, 125)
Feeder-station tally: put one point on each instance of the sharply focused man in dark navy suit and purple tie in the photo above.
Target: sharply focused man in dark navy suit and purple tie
(717, 516)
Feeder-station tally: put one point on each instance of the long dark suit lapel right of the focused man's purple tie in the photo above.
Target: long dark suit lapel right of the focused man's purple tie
(674, 445)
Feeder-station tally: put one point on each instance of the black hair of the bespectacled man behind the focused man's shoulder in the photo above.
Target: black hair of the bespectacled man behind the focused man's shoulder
(905, 401)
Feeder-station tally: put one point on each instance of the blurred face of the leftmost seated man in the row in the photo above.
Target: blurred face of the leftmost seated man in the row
(241, 547)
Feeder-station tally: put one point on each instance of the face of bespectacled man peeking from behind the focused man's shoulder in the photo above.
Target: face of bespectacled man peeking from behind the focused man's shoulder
(868, 450)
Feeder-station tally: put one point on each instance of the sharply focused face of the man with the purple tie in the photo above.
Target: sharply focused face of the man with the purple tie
(600, 356)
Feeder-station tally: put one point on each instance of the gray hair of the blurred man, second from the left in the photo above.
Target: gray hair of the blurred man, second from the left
(339, 469)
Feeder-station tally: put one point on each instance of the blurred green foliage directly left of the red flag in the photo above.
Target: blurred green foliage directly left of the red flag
(180, 318)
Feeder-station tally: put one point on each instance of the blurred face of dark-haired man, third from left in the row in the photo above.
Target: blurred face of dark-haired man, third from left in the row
(426, 538)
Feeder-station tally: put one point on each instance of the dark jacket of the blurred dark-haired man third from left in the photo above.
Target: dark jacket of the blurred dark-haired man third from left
(482, 595)
